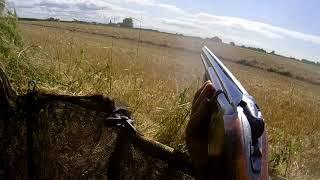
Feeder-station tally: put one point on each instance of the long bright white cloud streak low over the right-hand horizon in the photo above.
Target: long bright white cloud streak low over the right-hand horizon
(234, 25)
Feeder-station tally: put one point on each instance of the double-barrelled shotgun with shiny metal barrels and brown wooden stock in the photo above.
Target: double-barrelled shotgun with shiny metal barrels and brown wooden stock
(237, 146)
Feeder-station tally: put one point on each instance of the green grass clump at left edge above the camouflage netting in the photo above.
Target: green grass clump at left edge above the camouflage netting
(15, 56)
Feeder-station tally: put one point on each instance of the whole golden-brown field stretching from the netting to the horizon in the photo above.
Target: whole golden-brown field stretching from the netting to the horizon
(156, 80)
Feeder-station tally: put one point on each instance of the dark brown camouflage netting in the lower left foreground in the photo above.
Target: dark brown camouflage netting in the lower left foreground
(45, 136)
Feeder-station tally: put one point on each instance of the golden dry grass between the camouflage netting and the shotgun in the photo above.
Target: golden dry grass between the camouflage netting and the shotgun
(146, 83)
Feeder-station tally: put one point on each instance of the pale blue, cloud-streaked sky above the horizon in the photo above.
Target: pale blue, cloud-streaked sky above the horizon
(289, 27)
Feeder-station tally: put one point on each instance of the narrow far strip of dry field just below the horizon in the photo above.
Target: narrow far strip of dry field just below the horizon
(279, 64)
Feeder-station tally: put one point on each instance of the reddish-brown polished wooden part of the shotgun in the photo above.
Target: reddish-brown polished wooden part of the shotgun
(236, 130)
